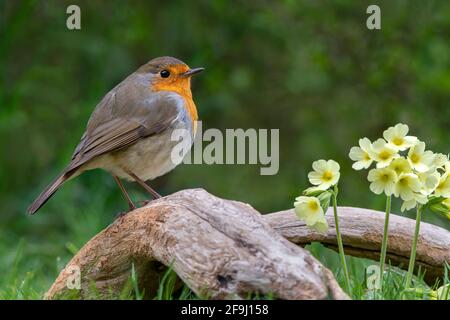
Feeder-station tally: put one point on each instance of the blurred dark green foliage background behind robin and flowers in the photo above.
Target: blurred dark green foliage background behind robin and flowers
(310, 68)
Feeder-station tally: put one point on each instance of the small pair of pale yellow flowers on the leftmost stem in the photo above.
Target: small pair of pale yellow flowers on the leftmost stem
(312, 207)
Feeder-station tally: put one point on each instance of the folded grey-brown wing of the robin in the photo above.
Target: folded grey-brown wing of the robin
(124, 125)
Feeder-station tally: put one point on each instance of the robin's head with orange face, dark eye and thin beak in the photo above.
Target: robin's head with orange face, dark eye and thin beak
(170, 74)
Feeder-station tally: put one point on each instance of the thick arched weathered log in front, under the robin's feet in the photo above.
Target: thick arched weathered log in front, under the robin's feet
(219, 248)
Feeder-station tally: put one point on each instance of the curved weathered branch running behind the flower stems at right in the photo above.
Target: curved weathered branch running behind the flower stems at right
(362, 233)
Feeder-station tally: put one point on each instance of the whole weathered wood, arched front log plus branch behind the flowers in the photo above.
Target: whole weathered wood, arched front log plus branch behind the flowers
(226, 249)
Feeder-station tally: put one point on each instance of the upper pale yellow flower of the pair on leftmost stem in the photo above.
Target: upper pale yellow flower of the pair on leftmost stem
(325, 174)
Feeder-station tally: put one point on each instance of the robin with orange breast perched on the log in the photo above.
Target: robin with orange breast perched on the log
(129, 132)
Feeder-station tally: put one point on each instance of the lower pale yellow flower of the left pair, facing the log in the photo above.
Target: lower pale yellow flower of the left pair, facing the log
(309, 210)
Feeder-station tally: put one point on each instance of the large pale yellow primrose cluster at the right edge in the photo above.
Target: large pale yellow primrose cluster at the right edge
(405, 169)
